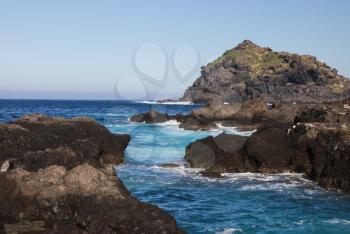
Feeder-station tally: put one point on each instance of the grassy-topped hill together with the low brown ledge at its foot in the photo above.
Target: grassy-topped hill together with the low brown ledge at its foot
(250, 86)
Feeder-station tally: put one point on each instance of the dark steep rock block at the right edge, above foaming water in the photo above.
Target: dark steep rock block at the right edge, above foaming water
(322, 152)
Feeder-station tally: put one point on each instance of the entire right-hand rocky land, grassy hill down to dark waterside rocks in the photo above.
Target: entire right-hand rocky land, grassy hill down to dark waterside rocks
(299, 106)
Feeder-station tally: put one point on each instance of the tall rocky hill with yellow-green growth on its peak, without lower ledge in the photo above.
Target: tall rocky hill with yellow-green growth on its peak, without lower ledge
(249, 71)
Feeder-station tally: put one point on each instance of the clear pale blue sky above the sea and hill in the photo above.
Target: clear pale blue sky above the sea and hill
(81, 49)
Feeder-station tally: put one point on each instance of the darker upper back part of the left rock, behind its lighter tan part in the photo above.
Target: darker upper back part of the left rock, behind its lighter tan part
(79, 138)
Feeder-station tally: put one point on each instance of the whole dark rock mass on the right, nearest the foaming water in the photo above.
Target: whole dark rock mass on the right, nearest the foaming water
(320, 150)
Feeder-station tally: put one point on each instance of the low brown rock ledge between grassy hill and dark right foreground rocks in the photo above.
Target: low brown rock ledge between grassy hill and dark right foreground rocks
(256, 113)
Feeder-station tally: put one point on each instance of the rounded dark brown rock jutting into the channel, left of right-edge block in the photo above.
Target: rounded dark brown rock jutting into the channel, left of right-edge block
(265, 151)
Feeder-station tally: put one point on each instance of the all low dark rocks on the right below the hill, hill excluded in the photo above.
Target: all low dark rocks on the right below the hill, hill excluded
(306, 138)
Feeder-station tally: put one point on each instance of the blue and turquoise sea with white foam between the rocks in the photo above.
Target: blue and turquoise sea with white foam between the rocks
(238, 203)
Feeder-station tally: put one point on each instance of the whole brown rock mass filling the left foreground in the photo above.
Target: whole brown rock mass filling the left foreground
(57, 176)
